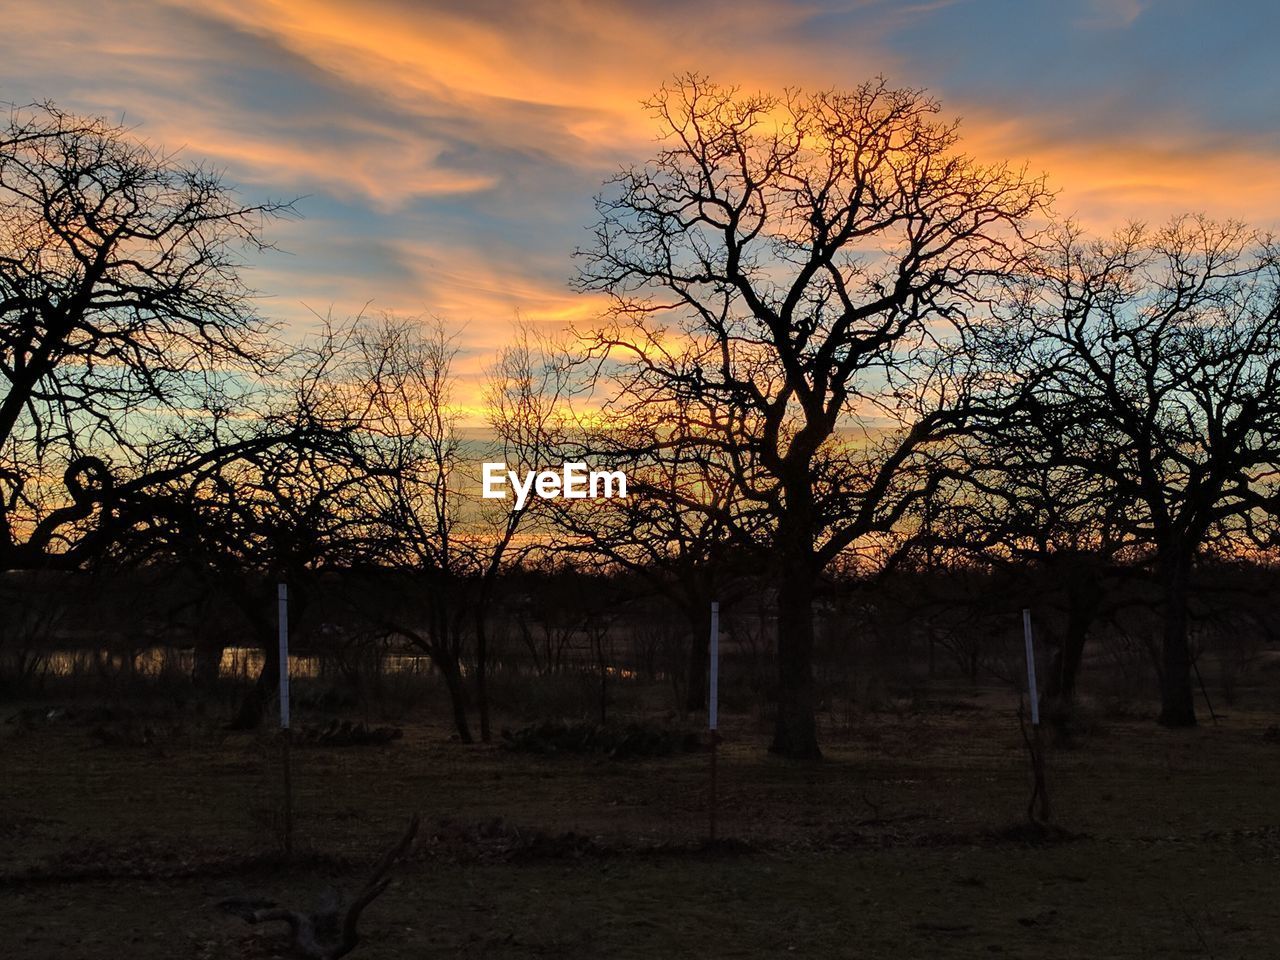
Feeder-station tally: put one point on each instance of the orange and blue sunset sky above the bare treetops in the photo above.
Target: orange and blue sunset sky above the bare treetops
(447, 153)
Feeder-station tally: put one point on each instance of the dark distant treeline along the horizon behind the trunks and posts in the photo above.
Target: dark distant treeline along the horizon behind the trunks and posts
(883, 637)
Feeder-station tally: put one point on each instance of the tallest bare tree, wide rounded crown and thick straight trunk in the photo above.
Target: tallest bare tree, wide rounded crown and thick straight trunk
(776, 273)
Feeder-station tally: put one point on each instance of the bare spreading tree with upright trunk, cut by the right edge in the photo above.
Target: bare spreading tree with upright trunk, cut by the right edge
(1148, 369)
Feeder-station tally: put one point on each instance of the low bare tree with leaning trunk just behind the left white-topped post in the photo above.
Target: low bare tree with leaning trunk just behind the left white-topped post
(280, 495)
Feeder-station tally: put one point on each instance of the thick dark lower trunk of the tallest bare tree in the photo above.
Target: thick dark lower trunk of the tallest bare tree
(797, 732)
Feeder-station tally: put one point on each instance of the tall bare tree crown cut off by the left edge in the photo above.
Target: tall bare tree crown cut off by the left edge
(125, 321)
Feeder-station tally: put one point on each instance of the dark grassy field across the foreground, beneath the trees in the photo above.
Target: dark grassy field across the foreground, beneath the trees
(907, 842)
